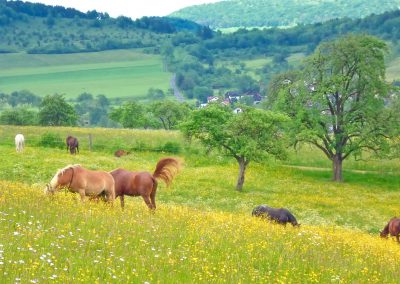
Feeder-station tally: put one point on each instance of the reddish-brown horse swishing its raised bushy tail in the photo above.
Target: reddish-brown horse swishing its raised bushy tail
(144, 183)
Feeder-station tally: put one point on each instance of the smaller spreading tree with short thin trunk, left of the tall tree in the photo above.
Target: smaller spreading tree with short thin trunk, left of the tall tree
(246, 136)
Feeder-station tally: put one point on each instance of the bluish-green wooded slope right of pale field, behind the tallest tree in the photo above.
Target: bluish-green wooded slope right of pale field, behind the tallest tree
(196, 60)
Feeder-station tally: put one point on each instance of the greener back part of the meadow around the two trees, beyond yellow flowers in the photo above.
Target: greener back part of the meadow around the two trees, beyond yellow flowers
(301, 183)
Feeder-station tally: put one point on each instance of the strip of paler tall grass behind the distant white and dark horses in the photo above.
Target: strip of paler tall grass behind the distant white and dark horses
(98, 139)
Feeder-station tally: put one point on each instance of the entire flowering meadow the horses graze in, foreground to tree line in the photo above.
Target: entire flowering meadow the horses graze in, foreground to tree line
(202, 230)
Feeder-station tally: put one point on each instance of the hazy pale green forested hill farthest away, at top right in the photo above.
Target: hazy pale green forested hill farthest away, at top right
(275, 13)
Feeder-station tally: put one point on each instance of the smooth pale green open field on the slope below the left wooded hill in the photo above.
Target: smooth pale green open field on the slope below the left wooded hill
(117, 73)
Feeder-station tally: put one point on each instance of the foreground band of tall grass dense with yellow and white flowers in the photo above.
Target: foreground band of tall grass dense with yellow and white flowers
(57, 238)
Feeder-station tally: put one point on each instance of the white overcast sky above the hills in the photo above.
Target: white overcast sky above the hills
(131, 8)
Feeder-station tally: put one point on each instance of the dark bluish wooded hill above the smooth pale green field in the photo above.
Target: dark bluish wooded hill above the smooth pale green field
(39, 28)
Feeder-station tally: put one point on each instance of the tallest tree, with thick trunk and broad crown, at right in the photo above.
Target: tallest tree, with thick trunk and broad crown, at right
(339, 102)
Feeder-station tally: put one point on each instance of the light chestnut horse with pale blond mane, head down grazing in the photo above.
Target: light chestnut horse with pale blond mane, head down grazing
(85, 182)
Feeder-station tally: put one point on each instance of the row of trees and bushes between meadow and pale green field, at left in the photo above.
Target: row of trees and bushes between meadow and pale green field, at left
(88, 110)
